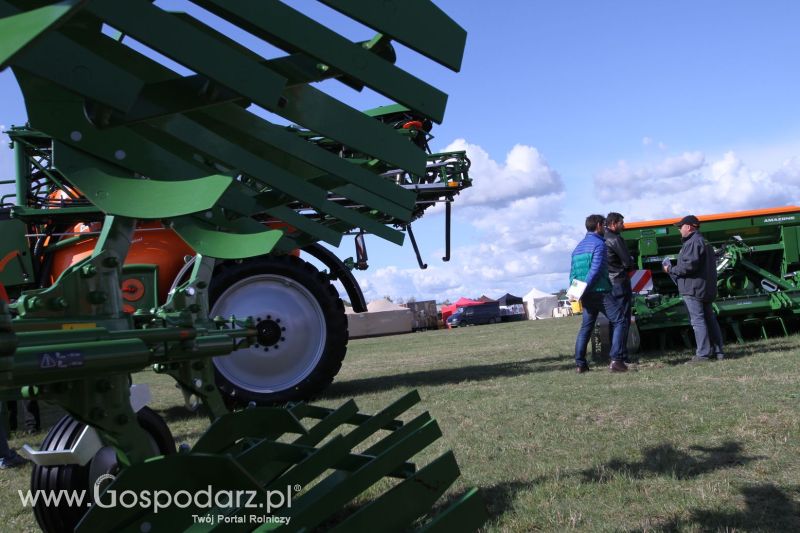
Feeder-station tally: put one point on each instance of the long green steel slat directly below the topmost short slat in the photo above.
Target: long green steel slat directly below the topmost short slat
(282, 26)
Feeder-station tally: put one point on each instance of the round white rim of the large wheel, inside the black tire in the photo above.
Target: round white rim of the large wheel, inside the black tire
(290, 305)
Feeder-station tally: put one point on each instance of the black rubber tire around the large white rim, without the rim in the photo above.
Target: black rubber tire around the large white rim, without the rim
(331, 306)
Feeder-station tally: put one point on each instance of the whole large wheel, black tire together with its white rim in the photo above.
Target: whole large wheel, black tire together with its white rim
(302, 328)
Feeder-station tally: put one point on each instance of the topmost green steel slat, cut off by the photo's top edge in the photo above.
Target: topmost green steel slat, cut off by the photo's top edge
(418, 24)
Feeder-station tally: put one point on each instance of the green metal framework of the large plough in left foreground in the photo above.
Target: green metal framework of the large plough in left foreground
(126, 139)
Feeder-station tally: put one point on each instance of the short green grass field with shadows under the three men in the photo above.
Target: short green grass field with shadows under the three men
(667, 447)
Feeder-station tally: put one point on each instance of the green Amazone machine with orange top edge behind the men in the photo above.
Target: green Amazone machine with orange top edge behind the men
(758, 269)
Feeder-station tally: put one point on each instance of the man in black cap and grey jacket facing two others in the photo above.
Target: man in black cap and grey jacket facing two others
(696, 276)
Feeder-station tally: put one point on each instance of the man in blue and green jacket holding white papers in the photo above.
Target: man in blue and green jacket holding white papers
(589, 264)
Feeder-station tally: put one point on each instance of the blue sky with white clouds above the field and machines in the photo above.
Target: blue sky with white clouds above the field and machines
(567, 108)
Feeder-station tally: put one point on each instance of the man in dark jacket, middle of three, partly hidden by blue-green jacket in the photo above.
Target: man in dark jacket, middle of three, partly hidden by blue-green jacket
(619, 264)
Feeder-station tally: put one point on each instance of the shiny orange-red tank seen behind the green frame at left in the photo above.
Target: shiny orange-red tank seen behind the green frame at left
(153, 244)
